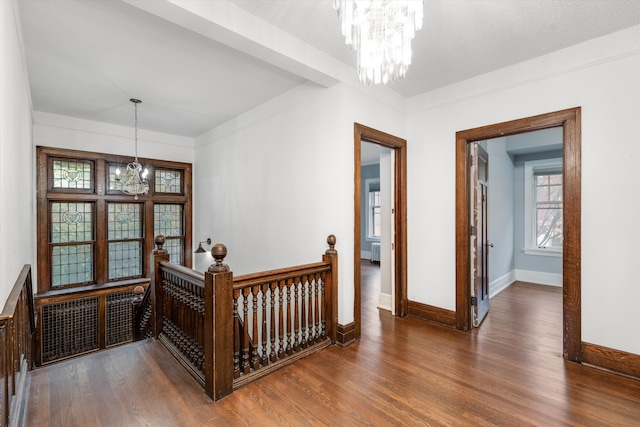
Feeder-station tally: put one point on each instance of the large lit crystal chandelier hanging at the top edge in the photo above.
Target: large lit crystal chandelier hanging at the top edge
(380, 31)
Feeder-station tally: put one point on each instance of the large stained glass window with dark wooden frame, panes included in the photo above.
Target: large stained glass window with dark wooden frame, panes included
(93, 232)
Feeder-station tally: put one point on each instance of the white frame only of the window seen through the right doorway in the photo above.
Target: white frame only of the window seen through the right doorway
(531, 169)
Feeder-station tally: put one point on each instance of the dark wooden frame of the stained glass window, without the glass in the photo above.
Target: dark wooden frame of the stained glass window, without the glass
(100, 195)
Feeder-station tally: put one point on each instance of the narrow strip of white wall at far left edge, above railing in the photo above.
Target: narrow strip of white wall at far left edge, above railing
(17, 223)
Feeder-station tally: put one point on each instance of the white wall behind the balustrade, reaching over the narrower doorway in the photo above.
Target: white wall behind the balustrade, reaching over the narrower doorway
(275, 182)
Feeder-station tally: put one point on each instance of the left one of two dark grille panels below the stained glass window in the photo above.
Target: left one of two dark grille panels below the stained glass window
(69, 328)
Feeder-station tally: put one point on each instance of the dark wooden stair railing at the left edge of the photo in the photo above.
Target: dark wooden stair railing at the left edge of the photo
(17, 332)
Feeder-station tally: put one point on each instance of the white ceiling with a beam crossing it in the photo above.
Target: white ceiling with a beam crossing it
(197, 64)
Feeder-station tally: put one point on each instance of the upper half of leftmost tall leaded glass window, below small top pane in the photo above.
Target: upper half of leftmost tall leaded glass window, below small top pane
(71, 222)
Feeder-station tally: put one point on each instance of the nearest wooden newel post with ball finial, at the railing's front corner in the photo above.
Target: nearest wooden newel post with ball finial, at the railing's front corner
(218, 326)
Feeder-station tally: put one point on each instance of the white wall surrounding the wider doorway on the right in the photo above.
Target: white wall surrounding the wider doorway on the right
(601, 76)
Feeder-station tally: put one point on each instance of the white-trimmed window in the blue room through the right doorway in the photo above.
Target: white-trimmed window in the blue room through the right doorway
(543, 207)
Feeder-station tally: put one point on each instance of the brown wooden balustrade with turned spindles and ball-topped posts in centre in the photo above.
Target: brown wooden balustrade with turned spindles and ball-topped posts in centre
(229, 331)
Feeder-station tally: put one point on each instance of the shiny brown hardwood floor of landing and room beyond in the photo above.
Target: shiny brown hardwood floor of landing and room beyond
(405, 372)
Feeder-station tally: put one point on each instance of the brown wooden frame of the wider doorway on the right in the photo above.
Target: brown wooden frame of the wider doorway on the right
(570, 121)
